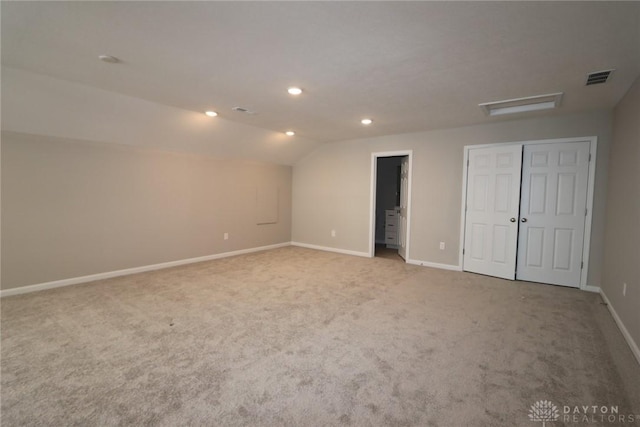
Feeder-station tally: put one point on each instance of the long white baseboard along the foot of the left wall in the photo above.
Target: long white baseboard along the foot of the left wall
(134, 270)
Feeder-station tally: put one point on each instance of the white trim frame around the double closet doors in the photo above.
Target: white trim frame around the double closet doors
(593, 149)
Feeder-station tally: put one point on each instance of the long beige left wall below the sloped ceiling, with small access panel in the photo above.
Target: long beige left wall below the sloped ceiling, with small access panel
(73, 208)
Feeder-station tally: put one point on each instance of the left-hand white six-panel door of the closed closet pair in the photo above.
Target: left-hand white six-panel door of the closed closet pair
(493, 199)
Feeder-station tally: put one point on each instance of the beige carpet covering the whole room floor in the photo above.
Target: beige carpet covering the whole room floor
(296, 337)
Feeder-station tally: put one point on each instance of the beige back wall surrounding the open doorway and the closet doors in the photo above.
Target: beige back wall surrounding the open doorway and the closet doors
(331, 186)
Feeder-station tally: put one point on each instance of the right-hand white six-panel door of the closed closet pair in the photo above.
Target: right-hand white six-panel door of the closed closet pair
(553, 210)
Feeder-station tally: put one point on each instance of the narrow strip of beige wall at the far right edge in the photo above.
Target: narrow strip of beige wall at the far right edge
(622, 229)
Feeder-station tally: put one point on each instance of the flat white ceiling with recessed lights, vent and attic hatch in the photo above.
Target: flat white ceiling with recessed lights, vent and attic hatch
(411, 66)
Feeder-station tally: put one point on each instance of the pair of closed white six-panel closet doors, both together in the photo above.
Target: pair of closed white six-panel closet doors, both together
(525, 212)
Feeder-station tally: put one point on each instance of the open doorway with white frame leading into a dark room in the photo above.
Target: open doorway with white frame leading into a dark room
(390, 191)
